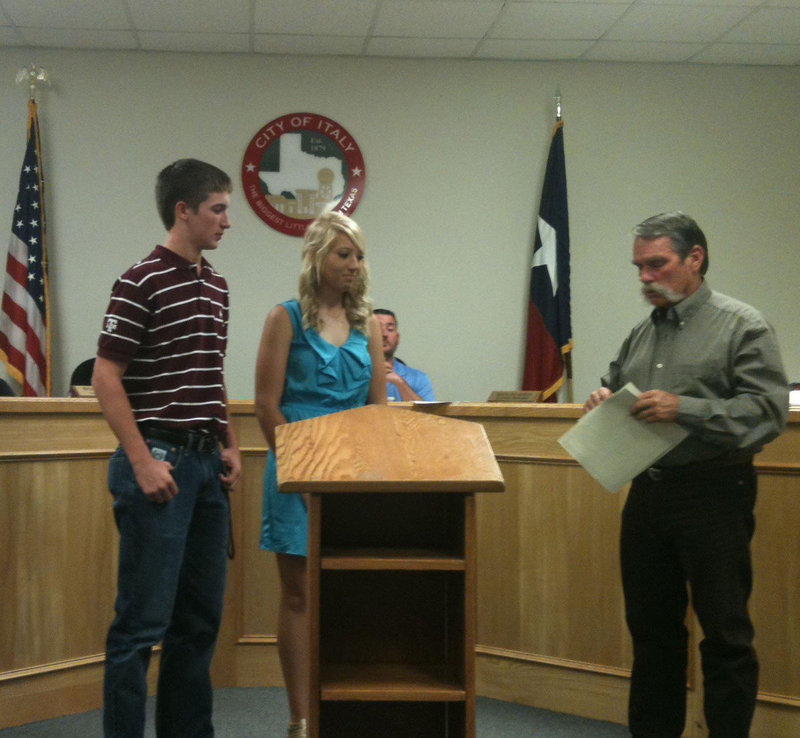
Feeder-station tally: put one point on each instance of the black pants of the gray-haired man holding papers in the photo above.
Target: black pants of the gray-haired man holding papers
(693, 527)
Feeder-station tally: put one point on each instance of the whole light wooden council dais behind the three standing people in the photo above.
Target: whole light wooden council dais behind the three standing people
(551, 629)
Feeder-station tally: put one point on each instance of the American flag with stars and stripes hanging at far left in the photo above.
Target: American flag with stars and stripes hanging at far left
(24, 332)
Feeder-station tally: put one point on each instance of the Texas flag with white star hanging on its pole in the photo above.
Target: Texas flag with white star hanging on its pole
(549, 336)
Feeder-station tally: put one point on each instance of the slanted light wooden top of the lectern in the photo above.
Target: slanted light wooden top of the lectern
(382, 449)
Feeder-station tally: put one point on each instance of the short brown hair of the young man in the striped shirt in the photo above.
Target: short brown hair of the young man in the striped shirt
(190, 181)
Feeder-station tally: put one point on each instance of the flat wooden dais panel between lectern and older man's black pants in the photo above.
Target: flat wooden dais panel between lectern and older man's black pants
(552, 538)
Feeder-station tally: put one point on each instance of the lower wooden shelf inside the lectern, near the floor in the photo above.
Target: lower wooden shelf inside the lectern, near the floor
(390, 682)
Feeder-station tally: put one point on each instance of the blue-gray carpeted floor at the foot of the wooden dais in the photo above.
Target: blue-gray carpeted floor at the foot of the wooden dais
(261, 712)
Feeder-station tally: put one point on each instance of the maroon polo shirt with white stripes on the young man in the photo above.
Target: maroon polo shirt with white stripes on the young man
(170, 326)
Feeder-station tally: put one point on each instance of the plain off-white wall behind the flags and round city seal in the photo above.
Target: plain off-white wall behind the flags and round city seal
(455, 155)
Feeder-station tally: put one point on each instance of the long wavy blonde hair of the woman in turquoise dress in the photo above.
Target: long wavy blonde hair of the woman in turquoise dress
(317, 244)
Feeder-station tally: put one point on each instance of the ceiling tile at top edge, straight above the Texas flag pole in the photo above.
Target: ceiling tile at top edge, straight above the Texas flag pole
(556, 20)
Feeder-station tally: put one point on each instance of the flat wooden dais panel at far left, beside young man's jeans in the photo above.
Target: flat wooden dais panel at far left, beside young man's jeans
(59, 560)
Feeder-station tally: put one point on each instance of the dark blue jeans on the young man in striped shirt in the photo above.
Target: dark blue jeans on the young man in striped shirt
(171, 583)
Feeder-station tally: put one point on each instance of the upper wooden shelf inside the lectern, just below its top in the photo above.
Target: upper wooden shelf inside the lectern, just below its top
(387, 559)
